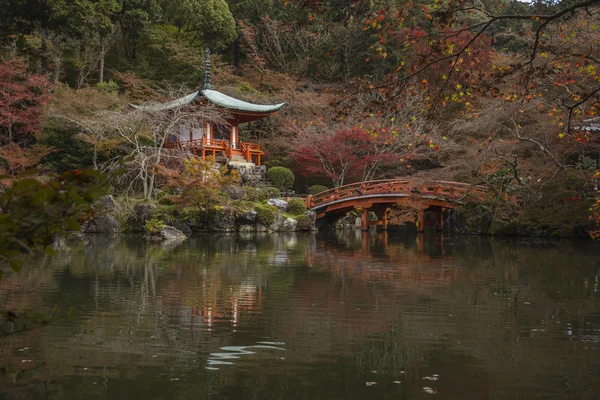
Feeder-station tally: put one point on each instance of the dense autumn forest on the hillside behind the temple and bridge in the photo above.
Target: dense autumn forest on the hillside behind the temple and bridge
(493, 92)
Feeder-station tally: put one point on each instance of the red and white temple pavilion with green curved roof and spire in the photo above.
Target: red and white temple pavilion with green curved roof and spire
(212, 139)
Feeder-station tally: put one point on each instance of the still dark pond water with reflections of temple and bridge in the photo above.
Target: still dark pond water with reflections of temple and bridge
(325, 316)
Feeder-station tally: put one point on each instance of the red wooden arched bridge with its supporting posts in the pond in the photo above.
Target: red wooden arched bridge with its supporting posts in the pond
(379, 196)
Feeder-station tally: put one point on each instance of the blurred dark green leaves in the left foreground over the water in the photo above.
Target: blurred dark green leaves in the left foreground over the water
(33, 212)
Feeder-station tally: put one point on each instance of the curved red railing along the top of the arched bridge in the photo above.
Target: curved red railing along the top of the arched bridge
(454, 191)
